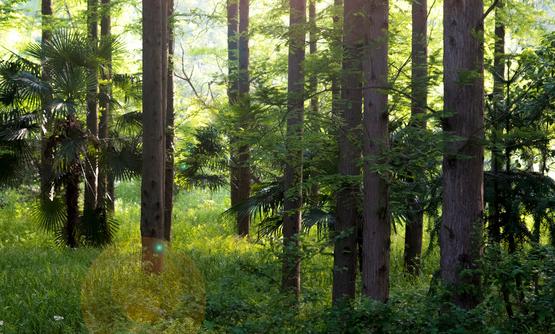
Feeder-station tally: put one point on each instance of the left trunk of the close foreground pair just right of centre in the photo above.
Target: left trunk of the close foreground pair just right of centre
(350, 114)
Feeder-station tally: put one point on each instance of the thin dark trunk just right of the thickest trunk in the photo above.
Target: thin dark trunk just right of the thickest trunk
(497, 128)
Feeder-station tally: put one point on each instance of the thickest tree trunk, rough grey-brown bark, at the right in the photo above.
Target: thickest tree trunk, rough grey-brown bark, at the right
(461, 230)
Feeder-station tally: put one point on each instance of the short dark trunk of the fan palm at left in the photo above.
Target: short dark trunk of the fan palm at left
(72, 206)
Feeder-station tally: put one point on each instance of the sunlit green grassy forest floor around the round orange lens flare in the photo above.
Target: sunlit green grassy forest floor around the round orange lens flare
(41, 283)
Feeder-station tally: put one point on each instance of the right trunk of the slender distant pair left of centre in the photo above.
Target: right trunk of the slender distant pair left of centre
(243, 176)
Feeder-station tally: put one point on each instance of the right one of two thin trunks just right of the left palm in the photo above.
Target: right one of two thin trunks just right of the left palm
(104, 102)
